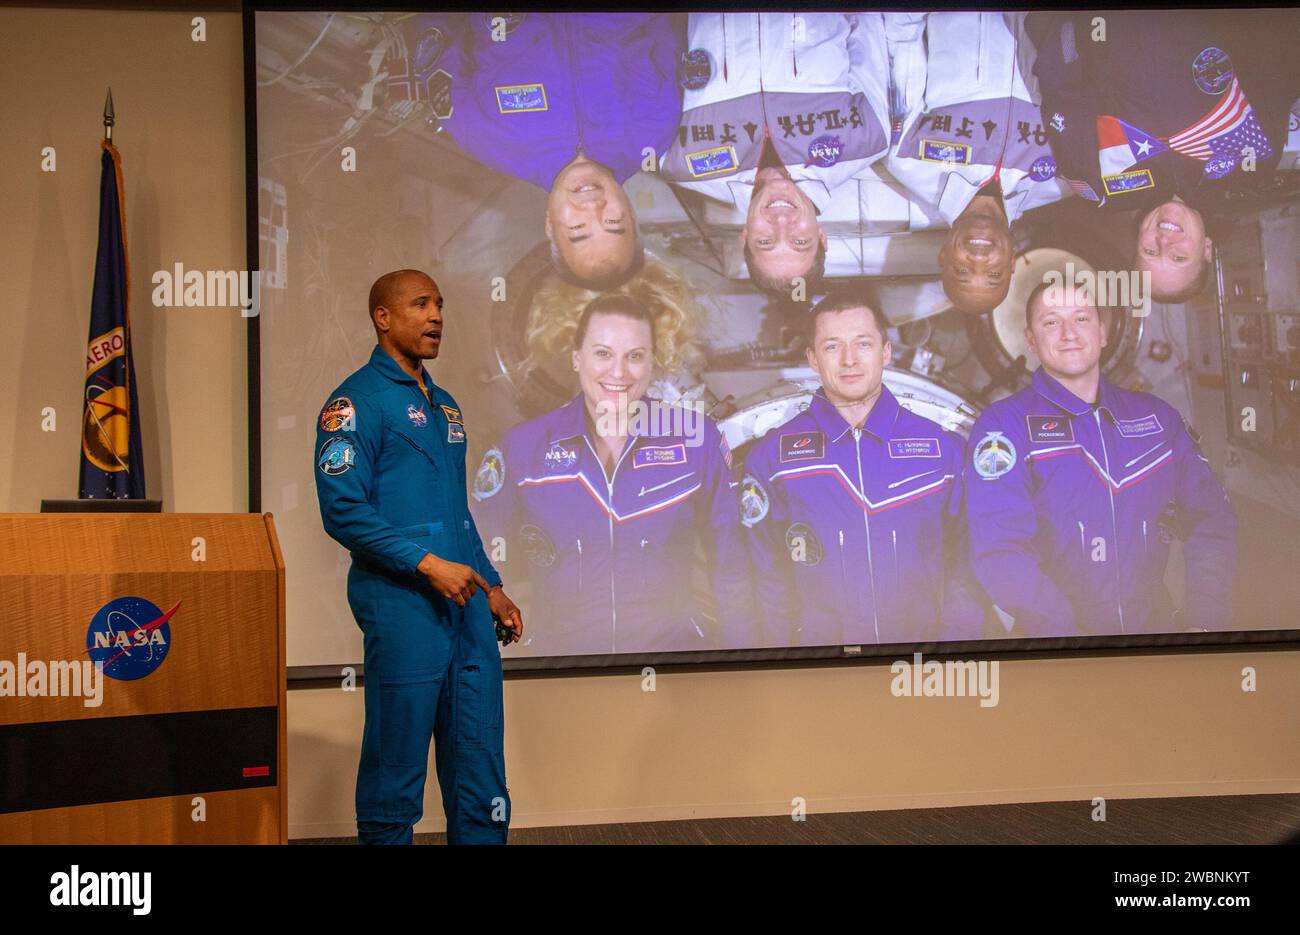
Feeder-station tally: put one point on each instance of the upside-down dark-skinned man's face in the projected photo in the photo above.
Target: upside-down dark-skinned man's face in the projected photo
(977, 258)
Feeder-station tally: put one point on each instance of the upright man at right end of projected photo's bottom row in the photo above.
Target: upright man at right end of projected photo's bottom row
(1076, 488)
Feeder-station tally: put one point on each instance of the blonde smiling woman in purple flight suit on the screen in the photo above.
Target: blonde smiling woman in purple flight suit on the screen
(609, 517)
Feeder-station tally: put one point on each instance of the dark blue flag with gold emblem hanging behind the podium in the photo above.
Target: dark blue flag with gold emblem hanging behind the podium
(112, 465)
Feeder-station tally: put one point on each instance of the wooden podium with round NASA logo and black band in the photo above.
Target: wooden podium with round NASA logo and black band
(185, 742)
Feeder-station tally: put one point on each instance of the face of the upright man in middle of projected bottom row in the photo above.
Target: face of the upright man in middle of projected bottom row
(850, 354)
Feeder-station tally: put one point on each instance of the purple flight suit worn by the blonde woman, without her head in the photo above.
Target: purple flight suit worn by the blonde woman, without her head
(613, 560)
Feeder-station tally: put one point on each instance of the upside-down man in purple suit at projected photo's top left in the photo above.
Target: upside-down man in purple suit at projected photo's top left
(569, 102)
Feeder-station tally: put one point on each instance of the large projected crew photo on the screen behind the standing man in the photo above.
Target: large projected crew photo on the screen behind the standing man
(805, 244)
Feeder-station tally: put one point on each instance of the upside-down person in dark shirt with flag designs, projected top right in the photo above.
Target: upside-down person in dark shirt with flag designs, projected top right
(1159, 112)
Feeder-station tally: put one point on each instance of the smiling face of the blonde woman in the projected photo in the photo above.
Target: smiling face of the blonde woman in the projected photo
(614, 363)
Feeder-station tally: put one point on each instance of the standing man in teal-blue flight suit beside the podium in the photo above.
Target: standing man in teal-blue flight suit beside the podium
(391, 478)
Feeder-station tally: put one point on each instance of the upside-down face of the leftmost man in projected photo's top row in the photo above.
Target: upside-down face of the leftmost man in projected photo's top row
(591, 223)
